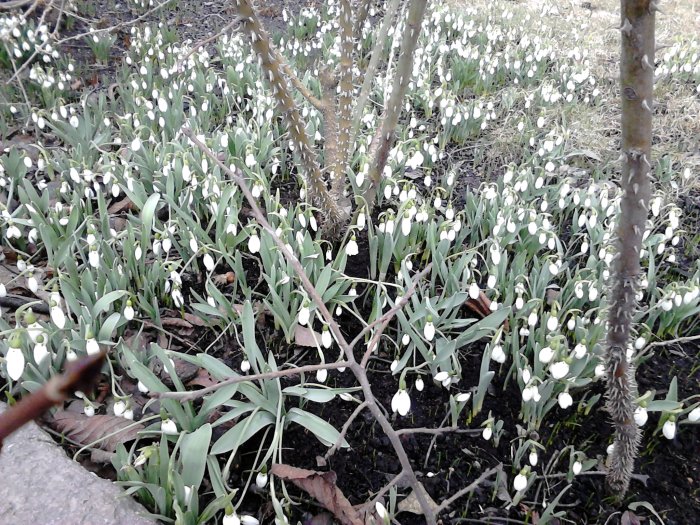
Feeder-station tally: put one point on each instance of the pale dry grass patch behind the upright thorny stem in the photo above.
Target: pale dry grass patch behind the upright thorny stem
(593, 26)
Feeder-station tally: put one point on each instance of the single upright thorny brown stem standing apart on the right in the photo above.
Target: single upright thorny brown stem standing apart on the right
(637, 87)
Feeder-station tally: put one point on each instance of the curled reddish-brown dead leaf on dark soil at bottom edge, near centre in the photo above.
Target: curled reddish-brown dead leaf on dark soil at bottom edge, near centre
(321, 486)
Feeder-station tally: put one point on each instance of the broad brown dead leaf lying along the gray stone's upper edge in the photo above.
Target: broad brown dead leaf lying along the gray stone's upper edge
(85, 430)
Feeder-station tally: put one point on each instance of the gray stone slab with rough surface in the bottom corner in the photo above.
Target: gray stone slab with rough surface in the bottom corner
(41, 485)
